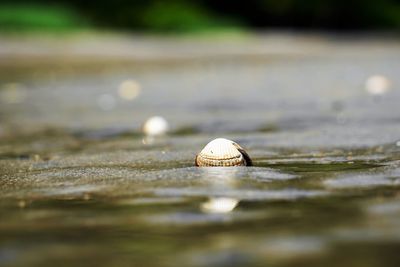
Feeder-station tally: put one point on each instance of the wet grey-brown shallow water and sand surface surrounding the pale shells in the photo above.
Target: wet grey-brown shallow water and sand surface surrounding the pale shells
(81, 185)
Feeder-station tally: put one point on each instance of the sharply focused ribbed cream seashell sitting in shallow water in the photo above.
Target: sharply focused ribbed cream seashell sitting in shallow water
(224, 153)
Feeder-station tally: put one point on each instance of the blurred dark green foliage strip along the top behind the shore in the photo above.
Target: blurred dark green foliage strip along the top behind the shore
(198, 15)
